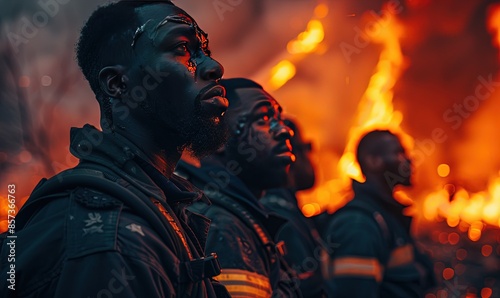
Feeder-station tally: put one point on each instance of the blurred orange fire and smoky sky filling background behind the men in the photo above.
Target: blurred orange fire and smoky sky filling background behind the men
(425, 69)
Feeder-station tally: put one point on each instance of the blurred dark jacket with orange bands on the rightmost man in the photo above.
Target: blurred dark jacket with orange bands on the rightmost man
(376, 256)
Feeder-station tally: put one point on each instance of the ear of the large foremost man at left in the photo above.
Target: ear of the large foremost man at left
(113, 81)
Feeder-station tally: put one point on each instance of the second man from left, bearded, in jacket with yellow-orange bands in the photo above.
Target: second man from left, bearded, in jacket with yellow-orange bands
(256, 157)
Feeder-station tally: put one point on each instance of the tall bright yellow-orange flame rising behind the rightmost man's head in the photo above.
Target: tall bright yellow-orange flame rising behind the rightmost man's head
(375, 111)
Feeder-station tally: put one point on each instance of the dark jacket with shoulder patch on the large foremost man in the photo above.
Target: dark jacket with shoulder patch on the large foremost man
(114, 226)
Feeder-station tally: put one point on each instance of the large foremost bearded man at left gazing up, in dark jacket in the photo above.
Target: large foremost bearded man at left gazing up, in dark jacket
(116, 224)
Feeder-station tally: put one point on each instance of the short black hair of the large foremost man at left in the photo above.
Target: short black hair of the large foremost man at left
(106, 39)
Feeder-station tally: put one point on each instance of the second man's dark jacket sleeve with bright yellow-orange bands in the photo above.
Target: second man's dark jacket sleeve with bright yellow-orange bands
(243, 268)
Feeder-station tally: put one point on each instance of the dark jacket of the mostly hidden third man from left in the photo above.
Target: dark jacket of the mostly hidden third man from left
(305, 250)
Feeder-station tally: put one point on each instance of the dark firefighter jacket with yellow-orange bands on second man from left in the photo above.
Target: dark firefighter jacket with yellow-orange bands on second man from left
(241, 233)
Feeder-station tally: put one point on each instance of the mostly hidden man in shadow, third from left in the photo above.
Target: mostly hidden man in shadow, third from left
(305, 249)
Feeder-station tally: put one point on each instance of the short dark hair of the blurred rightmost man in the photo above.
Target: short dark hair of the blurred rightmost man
(370, 144)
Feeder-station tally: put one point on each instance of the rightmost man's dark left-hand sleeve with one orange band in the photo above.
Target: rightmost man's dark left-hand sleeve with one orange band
(354, 268)
